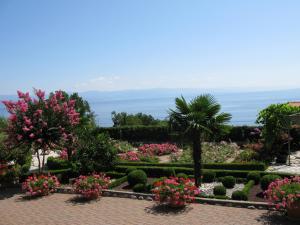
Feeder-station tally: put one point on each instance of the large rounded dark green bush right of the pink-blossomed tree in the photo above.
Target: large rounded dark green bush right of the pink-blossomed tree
(95, 153)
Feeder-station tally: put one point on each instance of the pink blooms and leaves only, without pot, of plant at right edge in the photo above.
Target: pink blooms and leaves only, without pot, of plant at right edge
(284, 192)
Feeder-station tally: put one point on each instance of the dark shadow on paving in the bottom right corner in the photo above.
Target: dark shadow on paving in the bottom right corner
(276, 218)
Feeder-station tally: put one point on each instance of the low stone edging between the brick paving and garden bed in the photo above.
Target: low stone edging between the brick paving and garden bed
(150, 197)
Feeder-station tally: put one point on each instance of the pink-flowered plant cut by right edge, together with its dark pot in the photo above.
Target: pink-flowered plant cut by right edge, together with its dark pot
(285, 194)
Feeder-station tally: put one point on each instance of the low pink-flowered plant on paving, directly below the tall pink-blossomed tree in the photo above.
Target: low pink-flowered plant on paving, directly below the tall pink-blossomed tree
(40, 185)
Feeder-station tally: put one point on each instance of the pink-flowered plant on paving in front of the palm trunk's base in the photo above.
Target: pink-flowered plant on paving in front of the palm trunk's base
(175, 191)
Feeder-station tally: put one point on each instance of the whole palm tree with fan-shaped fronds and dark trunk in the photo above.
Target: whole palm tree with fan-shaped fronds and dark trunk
(196, 119)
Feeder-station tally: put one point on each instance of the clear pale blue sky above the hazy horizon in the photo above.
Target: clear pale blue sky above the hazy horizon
(142, 44)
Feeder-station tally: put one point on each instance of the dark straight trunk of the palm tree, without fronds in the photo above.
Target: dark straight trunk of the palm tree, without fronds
(197, 158)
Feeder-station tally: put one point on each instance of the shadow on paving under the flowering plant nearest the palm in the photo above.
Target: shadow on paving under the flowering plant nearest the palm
(167, 210)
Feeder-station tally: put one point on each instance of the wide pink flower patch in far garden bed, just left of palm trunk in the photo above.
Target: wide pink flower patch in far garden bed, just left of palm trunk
(158, 149)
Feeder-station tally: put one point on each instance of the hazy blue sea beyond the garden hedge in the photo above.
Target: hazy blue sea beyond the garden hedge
(244, 106)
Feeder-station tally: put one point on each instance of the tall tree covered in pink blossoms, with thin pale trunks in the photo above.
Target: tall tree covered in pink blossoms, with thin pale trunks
(40, 124)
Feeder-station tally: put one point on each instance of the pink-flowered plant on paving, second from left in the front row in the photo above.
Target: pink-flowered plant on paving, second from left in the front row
(91, 186)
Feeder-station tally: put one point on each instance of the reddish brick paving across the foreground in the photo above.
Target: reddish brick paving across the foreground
(66, 209)
